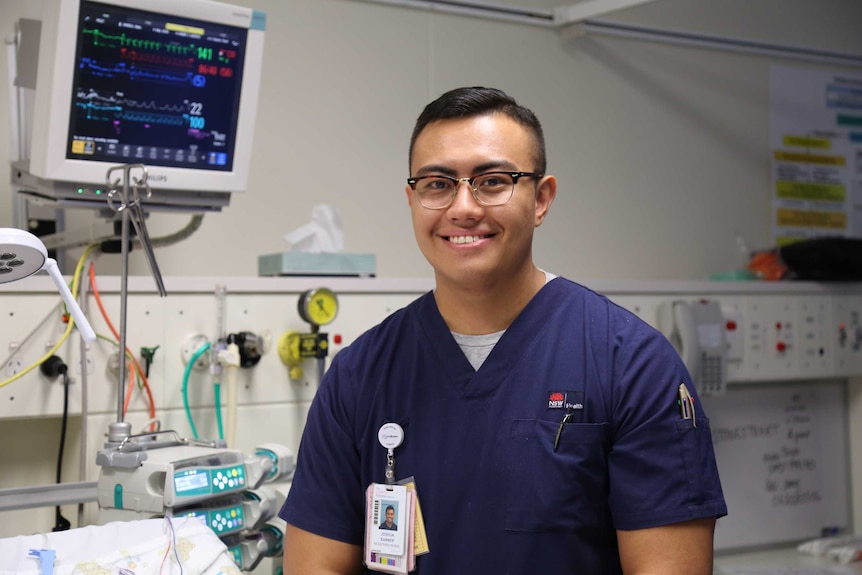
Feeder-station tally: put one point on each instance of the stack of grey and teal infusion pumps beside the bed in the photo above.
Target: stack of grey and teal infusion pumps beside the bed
(161, 475)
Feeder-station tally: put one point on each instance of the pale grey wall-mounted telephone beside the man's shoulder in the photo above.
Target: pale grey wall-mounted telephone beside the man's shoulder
(696, 331)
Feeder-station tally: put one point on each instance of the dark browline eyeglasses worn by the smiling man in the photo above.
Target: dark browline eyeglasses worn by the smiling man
(437, 192)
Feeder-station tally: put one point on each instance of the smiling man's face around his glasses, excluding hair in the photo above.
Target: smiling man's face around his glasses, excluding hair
(492, 241)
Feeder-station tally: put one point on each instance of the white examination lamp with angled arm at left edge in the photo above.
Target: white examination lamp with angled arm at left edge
(21, 255)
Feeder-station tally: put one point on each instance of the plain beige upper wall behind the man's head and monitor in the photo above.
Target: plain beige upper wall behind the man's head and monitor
(661, 151)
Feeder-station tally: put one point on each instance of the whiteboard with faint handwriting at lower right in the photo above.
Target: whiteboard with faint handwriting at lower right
(782, 453)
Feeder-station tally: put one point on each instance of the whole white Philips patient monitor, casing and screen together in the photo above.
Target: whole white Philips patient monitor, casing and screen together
(171, 85)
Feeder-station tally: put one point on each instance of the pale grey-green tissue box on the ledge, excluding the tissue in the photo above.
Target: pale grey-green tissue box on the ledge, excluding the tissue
(320, 264)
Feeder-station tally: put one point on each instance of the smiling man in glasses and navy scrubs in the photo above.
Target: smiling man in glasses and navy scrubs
(541, 422)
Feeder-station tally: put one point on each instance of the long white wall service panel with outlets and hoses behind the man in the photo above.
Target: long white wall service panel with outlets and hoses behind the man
(273, 406)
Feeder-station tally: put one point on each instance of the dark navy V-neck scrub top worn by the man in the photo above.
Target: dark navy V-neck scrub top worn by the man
(495, 496)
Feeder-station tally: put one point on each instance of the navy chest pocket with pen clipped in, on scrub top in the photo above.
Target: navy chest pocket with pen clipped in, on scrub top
(562, 490)
